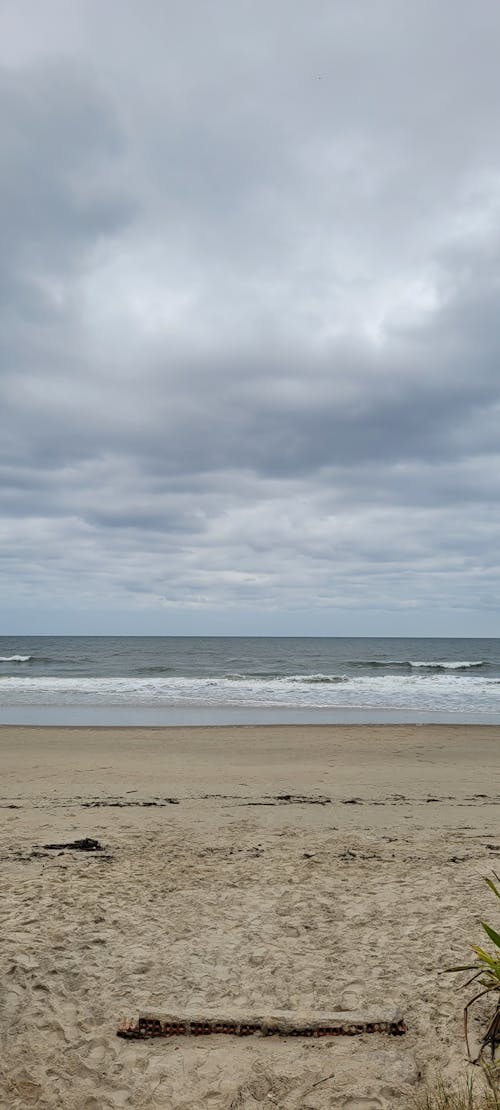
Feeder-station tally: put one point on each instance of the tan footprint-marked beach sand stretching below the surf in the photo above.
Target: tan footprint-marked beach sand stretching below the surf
(249, 867)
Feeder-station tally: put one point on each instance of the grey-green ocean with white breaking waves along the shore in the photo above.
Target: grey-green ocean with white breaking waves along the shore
(237, 680)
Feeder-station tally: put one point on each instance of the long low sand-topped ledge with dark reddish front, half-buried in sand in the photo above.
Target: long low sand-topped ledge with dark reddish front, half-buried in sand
(281, 1023)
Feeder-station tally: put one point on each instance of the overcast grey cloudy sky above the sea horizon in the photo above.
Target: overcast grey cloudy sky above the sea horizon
(249, 327)
